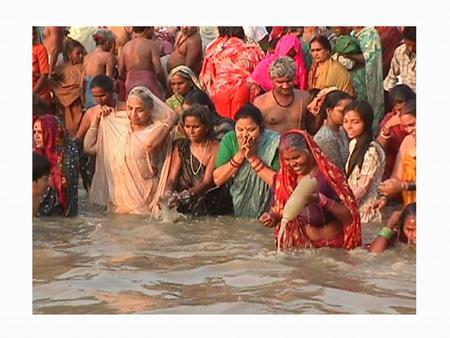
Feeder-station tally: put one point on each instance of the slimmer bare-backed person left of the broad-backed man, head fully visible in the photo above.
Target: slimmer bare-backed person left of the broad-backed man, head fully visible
(101, 61)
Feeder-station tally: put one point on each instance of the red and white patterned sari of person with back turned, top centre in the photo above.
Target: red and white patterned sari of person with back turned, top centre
(227, 63)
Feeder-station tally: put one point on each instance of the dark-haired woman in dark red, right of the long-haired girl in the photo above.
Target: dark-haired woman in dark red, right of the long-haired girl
(391, 132)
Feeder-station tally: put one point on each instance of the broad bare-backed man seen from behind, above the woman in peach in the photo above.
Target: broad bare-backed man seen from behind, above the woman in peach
(140, 64)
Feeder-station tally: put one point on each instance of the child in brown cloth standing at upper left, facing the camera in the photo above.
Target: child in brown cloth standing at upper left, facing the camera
(67, 86)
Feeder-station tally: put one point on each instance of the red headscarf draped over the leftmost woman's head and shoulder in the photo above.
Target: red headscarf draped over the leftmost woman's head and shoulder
(54, 141)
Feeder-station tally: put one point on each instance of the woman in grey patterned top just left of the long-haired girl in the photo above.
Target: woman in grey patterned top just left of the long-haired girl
(331, 139)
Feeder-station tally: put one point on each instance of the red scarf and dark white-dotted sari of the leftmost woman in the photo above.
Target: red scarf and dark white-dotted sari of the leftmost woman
(61, 197)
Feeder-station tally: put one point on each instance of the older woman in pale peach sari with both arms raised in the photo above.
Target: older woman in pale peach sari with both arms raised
(133, 149)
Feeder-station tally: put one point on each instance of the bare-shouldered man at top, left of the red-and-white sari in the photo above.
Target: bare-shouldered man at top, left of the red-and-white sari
(188, 50)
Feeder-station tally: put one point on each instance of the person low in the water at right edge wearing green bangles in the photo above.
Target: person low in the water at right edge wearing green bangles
(401, 227)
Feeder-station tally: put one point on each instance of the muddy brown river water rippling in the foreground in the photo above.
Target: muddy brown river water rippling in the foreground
(97, 263)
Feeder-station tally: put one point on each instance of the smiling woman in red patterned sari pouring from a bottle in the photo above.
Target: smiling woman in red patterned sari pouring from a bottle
(331, 217)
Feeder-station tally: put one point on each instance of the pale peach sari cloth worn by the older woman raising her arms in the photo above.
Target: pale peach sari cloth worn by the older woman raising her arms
(127, 178)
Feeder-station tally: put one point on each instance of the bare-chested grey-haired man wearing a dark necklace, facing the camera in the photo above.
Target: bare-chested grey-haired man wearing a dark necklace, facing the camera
(284, 107)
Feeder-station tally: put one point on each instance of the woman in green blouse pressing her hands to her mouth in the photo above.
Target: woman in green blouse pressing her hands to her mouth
(248, 159)
